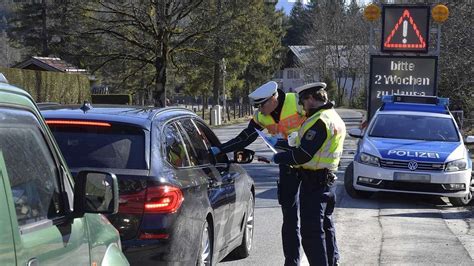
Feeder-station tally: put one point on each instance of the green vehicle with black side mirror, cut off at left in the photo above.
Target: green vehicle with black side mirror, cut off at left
(47, 218)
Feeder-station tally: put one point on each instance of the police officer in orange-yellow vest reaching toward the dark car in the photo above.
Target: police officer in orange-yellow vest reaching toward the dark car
(280, 114)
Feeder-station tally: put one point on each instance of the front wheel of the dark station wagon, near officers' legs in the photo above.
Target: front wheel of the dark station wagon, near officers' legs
(243, 251)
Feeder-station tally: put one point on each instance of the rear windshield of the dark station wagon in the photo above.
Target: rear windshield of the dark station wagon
(116, 146)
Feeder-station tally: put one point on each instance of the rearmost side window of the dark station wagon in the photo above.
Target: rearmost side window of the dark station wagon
(175, 148)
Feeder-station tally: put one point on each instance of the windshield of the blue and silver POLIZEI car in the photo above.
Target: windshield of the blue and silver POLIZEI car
(414, 127)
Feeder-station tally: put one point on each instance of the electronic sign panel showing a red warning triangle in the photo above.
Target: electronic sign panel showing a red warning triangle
(405, 28)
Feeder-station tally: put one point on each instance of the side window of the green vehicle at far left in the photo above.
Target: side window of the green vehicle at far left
(31, 169)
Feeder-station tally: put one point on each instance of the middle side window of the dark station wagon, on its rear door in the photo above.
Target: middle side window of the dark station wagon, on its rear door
(197, 142)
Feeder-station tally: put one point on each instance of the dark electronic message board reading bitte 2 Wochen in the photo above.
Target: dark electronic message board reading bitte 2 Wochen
(403, 75)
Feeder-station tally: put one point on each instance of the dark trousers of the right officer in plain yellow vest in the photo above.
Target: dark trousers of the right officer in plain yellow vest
(317, 202)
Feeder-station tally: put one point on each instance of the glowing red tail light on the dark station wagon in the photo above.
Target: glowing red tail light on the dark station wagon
(163, 199)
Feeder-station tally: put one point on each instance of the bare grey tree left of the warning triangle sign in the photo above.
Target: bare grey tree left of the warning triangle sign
(339, 37)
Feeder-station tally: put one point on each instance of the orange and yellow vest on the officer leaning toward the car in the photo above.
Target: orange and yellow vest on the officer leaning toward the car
(291, 117)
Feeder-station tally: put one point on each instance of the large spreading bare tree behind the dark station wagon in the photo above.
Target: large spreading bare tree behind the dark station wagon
(146, 35)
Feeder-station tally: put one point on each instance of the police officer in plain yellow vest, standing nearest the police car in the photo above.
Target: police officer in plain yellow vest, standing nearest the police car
(316, 157)
